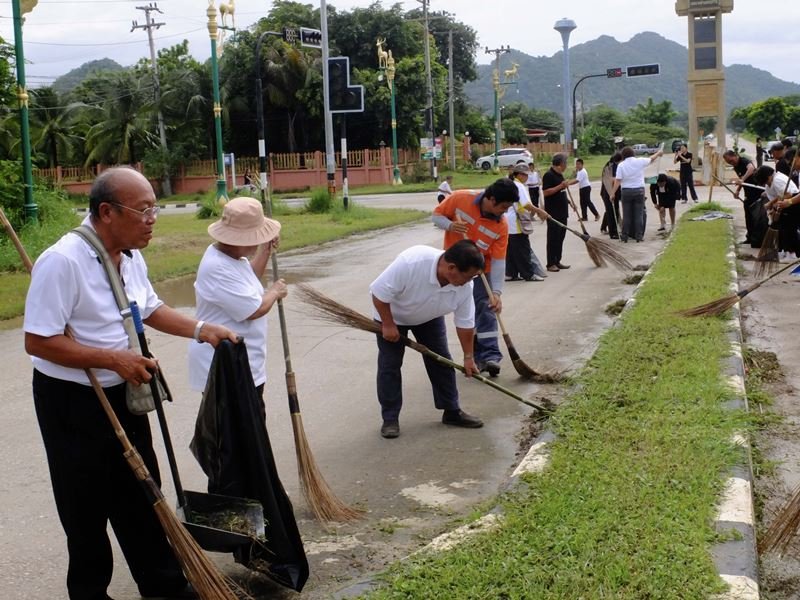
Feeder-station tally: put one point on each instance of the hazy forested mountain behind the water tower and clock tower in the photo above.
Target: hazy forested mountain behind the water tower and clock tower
(540, 76)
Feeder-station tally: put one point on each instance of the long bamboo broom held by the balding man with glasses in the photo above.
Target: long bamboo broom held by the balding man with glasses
(200, 571)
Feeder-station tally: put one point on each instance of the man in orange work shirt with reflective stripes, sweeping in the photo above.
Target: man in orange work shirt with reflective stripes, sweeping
(480, 217)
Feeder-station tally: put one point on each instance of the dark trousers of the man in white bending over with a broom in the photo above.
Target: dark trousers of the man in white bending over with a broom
(390, 361)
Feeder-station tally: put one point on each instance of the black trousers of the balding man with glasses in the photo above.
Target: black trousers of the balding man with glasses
(93, 485)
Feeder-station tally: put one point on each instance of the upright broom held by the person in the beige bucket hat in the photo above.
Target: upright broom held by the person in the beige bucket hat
(323, 502)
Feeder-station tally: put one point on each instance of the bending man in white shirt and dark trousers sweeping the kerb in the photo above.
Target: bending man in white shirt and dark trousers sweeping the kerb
(412, 295)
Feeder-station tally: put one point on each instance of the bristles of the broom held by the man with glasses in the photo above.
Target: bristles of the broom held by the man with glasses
(198, 568)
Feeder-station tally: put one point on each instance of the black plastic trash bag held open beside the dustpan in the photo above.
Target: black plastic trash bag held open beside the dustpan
(232, 445)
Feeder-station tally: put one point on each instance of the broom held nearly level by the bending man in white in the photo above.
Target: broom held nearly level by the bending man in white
(333, 312)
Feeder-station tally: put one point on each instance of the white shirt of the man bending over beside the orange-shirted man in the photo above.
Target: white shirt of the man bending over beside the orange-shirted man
(410, 286)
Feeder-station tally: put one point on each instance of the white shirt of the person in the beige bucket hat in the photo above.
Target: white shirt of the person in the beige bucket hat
(227, 291)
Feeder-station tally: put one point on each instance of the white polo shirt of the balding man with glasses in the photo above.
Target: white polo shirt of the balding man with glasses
(69, 285)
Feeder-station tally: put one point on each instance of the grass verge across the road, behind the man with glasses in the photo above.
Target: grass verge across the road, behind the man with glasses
(180, 241)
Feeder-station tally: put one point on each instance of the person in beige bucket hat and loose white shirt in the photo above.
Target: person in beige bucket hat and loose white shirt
(228, 287)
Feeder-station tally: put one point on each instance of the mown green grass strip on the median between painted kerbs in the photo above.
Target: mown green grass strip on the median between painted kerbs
(626, 505)
